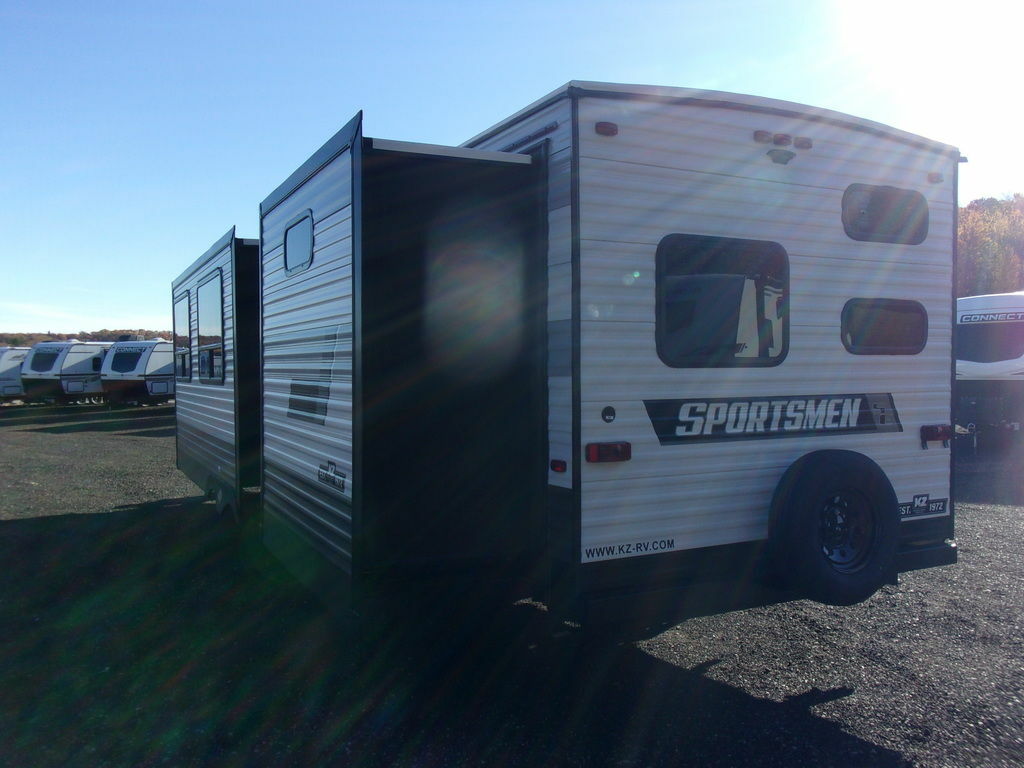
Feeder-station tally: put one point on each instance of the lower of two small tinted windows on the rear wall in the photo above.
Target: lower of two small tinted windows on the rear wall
(884, 327)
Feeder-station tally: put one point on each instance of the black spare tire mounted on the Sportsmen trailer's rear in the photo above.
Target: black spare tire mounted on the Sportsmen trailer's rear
(835, 528)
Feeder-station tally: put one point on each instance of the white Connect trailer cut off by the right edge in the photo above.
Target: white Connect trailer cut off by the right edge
(990, 348)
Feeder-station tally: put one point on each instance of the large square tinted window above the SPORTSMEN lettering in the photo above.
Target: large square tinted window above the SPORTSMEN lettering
(721, 302)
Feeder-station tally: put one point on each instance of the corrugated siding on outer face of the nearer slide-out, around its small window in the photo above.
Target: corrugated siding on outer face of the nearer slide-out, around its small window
(308, 364)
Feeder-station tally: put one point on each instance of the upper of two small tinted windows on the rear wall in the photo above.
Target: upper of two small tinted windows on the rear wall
(885, 215)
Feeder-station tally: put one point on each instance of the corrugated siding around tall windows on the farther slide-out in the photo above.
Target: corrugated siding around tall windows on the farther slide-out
(207, 433)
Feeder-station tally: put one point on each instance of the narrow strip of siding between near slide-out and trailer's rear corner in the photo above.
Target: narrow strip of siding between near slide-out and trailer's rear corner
(560, 273)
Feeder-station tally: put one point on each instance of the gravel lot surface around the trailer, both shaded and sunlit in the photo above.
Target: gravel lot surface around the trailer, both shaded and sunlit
(141, 630)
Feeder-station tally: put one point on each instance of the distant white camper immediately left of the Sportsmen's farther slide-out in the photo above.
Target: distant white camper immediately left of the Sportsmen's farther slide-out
(139, 372)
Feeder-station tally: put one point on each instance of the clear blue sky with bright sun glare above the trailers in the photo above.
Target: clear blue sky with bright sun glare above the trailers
(134, 135)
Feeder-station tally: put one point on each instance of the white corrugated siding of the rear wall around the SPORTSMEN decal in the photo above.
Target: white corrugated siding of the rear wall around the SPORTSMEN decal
(697, 170)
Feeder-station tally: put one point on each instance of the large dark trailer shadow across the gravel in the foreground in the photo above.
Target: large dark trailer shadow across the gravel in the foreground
(156, 635)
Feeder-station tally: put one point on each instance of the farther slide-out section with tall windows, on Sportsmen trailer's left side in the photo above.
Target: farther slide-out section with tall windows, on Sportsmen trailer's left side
(217, 368)
